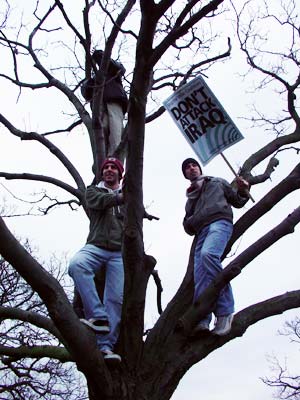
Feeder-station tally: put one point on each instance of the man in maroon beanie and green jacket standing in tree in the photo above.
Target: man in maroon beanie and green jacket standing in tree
(103, 248)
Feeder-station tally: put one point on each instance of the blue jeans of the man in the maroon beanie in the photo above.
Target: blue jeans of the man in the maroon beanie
(83, 267)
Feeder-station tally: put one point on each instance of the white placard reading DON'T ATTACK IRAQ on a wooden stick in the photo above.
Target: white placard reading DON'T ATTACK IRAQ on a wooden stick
(201, 118)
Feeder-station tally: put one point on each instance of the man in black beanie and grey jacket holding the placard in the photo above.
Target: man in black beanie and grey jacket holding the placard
(209, 217)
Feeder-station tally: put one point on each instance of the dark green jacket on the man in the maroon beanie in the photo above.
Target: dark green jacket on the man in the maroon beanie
(106, 217)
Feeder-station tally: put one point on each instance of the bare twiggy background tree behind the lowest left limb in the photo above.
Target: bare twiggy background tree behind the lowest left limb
(26, 328)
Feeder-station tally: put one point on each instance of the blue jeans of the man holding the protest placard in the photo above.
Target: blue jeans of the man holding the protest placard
(210, 245)
